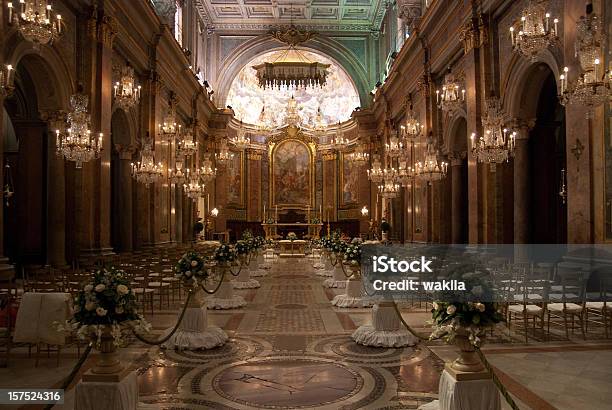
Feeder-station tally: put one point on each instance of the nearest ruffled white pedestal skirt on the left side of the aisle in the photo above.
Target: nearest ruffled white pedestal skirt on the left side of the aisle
(194, 333)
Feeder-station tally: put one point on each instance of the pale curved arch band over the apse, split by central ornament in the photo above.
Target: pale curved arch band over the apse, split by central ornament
(263, 44)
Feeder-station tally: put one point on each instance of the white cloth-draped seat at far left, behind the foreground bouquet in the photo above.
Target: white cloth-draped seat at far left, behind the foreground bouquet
(36, 317)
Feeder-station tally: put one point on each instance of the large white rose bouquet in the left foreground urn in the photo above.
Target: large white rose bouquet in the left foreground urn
(106, 300)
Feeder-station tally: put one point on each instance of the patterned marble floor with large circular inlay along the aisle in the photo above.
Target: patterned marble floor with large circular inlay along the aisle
(289, 348)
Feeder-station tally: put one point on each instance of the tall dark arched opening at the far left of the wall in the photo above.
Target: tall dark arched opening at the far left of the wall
(35, 226)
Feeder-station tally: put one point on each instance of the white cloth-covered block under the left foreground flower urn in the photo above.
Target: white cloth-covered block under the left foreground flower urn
(121, 395)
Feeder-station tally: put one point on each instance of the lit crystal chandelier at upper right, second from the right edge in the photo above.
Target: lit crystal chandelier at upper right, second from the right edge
(534, 32)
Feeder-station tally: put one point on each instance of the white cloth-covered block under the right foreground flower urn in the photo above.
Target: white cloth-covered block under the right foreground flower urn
(481, 394)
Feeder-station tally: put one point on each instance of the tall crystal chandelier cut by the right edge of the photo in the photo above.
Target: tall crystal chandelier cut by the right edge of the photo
(594, 84)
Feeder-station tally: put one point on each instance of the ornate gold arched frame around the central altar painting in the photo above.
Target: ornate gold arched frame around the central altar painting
(272, 147)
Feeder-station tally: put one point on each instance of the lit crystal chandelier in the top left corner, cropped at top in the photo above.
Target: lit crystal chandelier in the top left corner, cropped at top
(35, 22)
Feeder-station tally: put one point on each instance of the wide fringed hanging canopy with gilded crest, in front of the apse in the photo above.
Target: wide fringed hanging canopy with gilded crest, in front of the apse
(291, 69)
